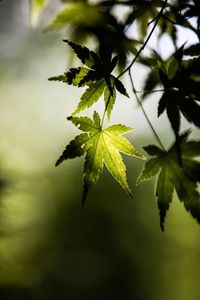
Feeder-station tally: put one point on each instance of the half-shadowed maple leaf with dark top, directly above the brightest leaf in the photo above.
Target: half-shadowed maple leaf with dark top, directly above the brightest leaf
(96, 75)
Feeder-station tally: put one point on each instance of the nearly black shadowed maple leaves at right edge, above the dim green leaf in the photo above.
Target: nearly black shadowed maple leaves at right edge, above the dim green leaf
(180, 79)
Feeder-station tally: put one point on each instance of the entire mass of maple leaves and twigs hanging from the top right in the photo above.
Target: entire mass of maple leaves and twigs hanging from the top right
(179, 77)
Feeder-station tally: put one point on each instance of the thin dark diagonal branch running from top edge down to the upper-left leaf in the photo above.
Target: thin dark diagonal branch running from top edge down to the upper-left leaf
(147, 39)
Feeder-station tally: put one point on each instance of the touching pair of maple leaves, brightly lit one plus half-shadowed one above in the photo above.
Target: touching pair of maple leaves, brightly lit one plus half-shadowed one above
(102, 146)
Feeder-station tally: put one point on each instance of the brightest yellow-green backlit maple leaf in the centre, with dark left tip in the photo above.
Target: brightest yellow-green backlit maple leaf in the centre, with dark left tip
(101, 146)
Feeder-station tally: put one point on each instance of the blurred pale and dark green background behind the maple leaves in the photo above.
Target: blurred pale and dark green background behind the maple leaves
(51, 247)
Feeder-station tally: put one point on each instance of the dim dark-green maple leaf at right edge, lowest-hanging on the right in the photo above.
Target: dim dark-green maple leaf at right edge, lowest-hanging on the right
(174, 177)
